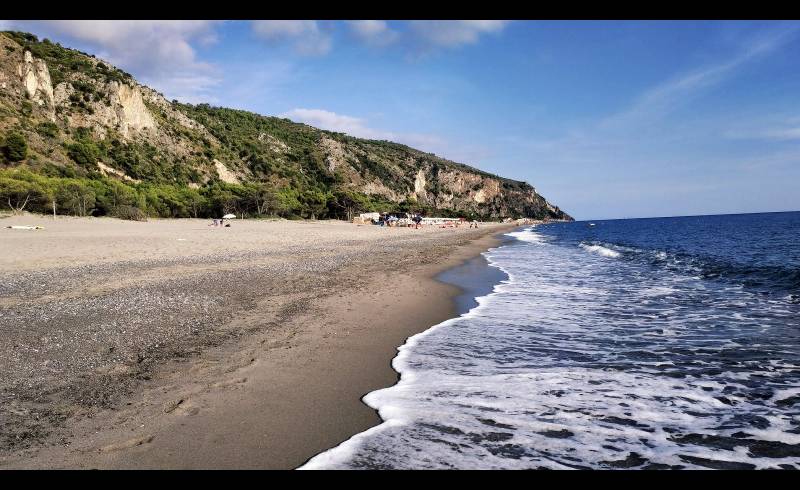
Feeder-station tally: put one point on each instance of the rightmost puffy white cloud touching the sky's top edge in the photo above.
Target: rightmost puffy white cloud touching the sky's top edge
(454, 33)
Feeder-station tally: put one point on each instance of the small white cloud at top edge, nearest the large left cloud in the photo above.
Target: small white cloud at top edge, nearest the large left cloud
(307, 37)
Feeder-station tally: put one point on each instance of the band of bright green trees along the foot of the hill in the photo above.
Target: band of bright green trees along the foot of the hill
(98, 195)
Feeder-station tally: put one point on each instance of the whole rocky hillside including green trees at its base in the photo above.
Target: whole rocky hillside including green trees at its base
(79, 136)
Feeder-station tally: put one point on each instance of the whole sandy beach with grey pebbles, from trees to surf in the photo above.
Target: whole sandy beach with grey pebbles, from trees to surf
(172, 344)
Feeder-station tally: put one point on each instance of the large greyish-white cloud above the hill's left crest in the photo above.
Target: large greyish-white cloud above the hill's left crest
(160, 52)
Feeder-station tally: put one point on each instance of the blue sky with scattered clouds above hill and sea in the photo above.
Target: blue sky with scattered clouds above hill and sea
(605, 119)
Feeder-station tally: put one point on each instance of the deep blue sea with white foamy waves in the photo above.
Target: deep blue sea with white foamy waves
(641, 343)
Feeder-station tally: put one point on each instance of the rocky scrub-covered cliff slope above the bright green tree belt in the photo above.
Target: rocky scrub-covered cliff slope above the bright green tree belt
(59, 98)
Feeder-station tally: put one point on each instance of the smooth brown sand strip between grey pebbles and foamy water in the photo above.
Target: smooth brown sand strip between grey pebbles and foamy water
(275, 399)
